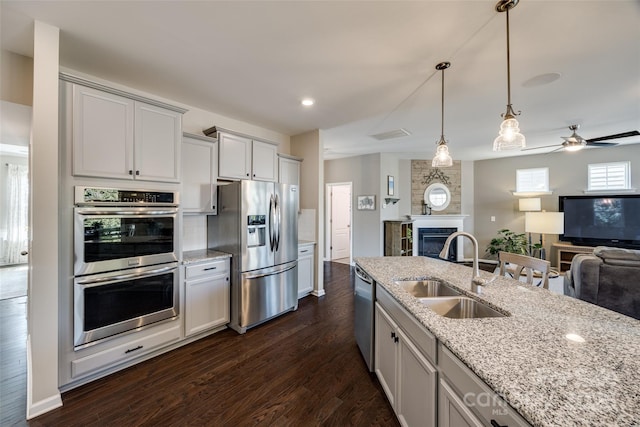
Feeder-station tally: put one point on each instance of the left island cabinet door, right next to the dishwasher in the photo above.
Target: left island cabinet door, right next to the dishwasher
(385, 357)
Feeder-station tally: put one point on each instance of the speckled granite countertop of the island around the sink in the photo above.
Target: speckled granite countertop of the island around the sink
(525, 357)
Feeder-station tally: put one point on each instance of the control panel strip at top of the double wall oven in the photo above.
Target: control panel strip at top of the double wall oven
(112, 196)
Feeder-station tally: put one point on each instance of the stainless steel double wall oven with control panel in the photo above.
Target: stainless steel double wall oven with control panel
(125, 261)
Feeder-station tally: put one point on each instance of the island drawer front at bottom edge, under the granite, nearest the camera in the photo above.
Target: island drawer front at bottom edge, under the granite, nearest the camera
(478, 396)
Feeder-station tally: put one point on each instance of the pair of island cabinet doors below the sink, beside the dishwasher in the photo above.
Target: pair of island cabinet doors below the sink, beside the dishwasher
(407, 377)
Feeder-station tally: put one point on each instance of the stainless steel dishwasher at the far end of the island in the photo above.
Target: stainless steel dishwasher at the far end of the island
(364, 300)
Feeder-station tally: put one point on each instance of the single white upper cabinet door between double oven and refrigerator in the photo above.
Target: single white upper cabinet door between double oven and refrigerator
(199, 175)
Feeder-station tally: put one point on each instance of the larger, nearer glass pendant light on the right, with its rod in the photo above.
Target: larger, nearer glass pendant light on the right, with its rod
(509, 136)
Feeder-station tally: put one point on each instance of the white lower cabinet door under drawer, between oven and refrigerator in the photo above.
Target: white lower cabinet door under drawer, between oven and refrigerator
(206, 303)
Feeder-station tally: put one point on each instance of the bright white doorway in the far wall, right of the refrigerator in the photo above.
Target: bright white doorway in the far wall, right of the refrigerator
(338, 224)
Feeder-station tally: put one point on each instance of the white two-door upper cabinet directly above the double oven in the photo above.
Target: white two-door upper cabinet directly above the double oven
(118, 137)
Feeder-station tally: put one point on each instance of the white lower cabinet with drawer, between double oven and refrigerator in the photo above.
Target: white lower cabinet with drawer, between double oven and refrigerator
(206, 296)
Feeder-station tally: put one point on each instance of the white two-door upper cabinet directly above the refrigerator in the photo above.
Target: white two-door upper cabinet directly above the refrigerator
(244, 158)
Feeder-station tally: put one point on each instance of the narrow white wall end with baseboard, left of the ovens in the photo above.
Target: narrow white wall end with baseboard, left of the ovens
(42, 344)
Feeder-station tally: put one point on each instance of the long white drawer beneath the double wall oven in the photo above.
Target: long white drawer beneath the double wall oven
(125, 351)
